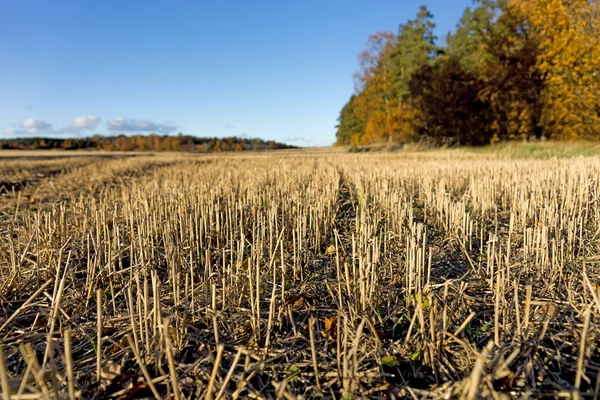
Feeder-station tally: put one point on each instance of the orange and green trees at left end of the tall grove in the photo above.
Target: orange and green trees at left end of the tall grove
(382, 110)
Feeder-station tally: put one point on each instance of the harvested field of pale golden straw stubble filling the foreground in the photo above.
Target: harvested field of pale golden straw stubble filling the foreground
(301, 274)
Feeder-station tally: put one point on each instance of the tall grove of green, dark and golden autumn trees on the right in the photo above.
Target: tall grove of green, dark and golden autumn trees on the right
(513, 69)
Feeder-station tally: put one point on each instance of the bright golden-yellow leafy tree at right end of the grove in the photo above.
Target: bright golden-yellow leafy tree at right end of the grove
(567, 35)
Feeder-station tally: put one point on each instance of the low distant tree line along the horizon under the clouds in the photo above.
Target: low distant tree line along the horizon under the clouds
(144, 143)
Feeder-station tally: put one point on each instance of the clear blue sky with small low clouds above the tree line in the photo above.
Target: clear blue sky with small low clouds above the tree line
(277, 70)
